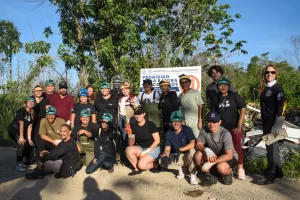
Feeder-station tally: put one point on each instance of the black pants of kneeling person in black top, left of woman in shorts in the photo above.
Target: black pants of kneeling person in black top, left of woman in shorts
(104, 160)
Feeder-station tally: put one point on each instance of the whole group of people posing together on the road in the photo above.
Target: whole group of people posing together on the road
(150, 131)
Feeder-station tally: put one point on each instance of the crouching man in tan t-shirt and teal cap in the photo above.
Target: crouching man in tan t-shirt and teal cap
(50, 130)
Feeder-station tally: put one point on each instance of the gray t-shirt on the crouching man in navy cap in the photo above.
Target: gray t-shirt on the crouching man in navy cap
(219, 142)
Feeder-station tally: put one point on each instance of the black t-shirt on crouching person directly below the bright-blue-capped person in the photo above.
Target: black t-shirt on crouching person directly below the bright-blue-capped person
(91, 127)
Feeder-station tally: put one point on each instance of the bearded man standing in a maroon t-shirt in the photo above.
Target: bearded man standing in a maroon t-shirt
(63, 102)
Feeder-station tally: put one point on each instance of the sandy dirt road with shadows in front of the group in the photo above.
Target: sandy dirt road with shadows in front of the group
(118, 185)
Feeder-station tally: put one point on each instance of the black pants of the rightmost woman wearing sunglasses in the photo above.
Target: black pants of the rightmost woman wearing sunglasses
(273, 157)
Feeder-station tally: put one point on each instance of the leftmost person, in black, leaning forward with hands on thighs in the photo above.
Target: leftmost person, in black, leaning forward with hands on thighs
(17, 130)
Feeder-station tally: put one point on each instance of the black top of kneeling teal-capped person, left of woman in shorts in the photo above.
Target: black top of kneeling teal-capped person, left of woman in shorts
(105, 142)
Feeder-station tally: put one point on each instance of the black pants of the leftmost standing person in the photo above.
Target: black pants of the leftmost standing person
(23, 150)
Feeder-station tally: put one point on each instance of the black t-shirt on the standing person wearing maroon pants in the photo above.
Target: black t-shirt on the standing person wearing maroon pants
(228, 108)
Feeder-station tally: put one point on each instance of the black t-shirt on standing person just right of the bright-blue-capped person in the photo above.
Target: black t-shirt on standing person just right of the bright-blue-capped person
(109, 105)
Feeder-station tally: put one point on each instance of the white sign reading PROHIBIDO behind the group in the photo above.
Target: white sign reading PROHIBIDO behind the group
(171, 74)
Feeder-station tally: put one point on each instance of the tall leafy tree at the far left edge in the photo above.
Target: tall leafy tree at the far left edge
(9, 42)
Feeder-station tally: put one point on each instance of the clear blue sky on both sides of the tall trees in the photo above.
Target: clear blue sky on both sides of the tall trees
(265, 25)
